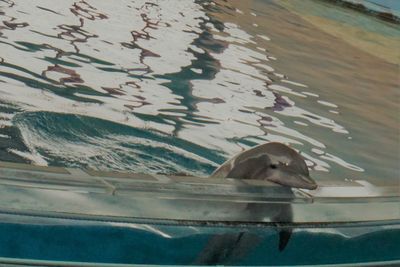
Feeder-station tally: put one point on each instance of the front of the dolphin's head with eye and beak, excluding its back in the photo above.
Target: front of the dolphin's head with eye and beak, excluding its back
(284, 166)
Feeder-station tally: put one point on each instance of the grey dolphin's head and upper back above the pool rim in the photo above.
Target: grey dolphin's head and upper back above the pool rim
(273, 162)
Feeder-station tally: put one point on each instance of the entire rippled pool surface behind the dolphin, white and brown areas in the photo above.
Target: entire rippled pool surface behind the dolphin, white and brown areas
(180, 86)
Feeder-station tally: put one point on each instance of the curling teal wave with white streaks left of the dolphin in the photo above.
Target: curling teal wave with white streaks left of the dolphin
(87, 142)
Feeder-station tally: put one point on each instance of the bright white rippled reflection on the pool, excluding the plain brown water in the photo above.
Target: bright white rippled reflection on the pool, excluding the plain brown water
(173, 67)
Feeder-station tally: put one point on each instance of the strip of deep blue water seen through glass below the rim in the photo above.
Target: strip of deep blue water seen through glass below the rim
(137, 244)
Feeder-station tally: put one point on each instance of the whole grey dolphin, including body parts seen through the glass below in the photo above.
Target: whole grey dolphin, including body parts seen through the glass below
(274, 162)
